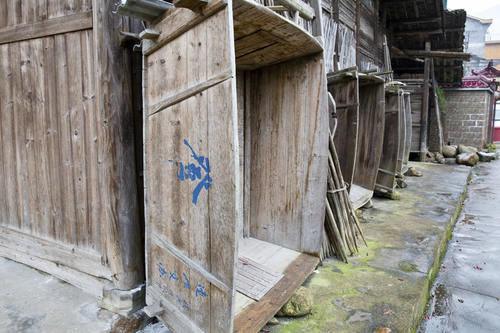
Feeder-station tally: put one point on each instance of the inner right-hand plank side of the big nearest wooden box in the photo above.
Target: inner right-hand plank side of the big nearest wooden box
(288, 153)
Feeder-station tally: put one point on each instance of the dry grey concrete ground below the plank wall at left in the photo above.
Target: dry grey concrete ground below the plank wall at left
(32, 301)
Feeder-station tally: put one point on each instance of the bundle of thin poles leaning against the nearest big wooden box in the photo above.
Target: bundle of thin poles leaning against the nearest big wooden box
(341, 228)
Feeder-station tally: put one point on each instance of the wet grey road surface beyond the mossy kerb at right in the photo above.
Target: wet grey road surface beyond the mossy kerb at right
(466, 293)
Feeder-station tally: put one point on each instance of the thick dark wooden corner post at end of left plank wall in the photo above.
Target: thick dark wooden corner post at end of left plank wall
(117, 172)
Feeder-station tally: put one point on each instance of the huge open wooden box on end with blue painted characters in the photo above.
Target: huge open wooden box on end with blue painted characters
(235, 153)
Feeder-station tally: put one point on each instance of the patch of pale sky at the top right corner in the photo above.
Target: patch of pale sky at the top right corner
(485, 9)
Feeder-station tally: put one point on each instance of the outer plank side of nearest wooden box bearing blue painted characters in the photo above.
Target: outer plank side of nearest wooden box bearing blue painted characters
(198, 233)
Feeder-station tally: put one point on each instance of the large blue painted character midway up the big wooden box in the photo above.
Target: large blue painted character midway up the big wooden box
(195, 171)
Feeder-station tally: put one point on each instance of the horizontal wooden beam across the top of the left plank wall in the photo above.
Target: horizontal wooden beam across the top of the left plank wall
(50, 27)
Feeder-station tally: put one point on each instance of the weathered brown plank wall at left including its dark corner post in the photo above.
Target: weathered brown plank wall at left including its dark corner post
(67, 143)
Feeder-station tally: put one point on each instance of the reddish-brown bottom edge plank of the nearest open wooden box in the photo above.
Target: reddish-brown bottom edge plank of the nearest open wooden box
(257, 314)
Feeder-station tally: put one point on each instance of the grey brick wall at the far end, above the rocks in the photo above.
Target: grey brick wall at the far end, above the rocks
(466, 118)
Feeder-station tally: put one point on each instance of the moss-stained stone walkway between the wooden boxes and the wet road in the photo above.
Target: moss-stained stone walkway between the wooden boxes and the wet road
(386, 285)
